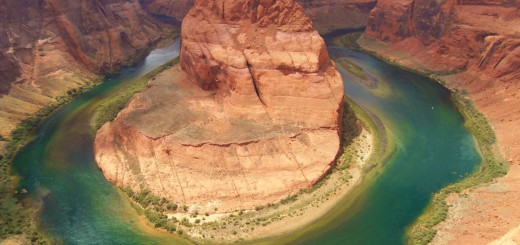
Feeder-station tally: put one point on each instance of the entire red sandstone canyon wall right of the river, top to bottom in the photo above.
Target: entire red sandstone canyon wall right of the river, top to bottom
(474, 46)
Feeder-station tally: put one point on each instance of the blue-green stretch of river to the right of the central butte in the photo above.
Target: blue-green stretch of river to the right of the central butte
(432, 149)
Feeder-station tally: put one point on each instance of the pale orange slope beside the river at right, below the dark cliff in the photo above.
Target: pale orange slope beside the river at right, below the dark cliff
(489, 212)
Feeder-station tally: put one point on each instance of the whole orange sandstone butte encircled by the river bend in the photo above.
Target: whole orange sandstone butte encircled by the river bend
(252, 118)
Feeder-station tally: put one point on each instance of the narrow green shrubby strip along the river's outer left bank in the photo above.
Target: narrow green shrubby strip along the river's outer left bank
(16, 207)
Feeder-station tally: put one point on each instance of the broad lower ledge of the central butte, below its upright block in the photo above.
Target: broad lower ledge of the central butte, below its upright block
(174, 139)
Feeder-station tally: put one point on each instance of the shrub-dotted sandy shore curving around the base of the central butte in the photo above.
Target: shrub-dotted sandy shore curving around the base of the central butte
(360, 145)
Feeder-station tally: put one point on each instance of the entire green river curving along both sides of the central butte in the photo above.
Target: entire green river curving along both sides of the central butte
(432, 149)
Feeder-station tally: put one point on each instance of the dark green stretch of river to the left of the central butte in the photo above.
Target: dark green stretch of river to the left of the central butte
(79, 205)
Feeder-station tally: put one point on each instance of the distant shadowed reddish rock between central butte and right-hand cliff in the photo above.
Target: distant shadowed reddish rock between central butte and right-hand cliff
(331, 15)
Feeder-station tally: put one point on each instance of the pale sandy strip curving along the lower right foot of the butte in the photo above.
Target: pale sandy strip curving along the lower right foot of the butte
(294, 212)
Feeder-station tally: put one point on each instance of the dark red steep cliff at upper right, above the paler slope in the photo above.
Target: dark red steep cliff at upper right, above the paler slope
(445, 36)
